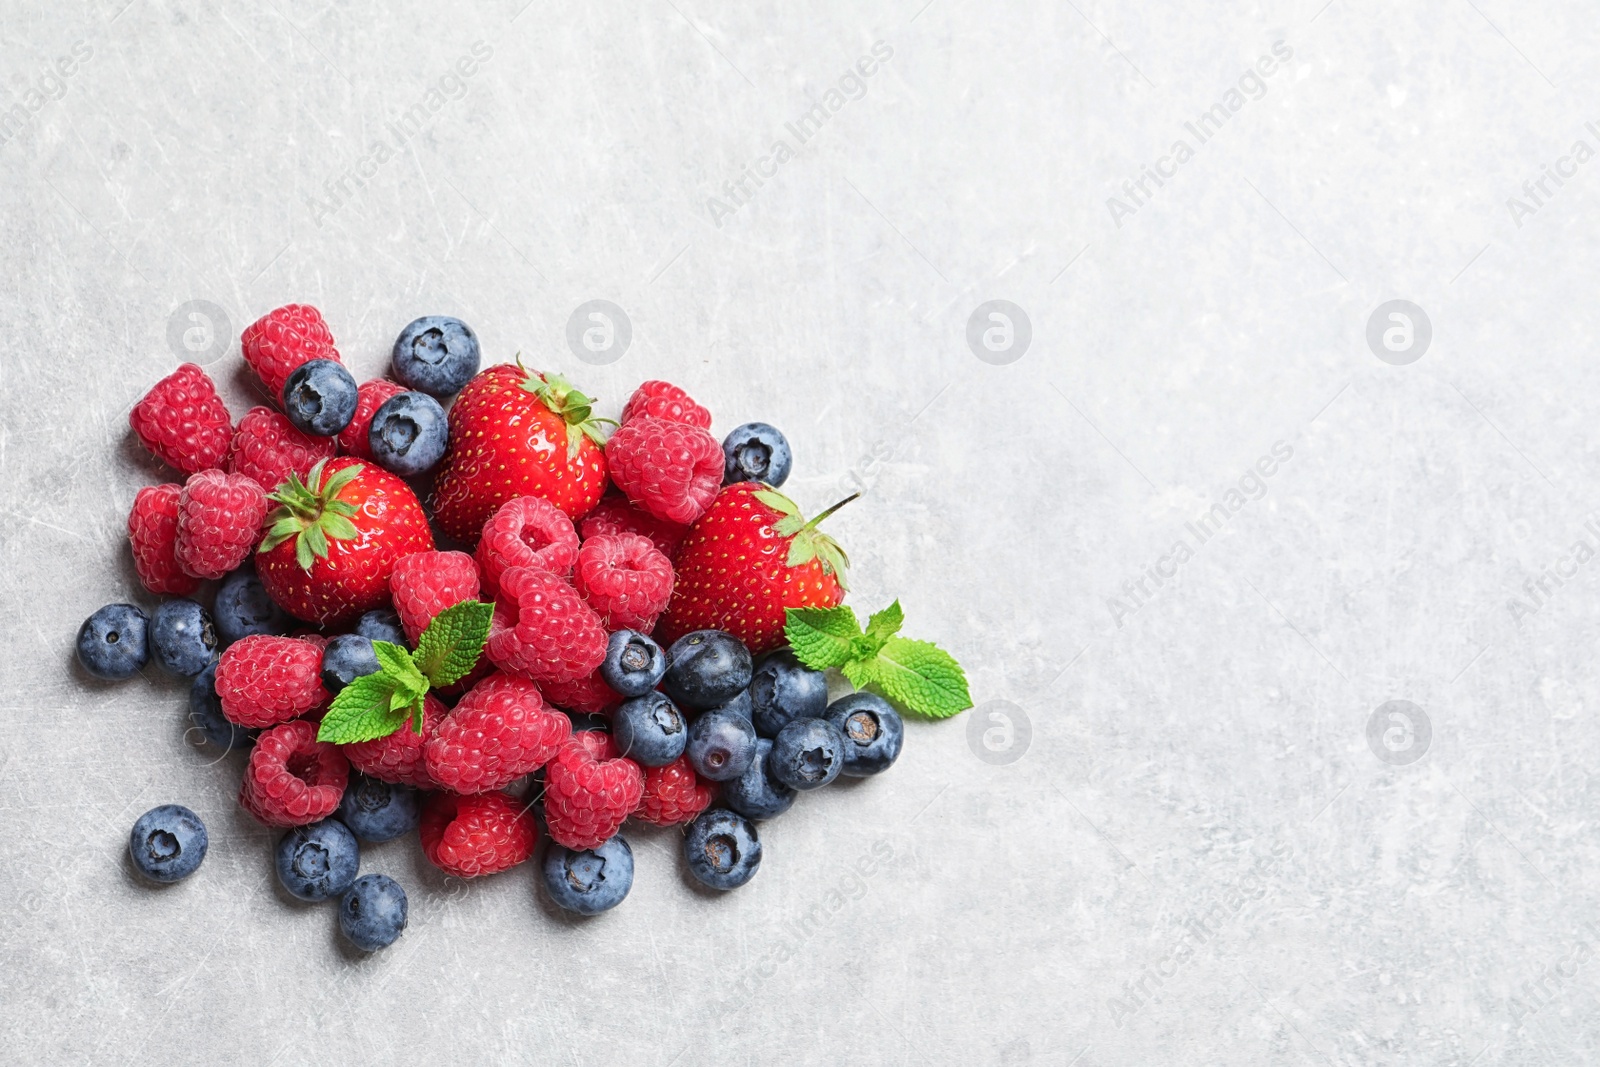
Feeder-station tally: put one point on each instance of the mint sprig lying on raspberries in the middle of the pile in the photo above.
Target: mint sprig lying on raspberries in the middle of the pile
(378, 705)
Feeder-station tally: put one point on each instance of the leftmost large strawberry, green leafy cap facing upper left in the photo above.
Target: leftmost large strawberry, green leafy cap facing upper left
(335, 540)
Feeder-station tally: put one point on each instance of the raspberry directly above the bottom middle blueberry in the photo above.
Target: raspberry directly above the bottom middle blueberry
(590, 791)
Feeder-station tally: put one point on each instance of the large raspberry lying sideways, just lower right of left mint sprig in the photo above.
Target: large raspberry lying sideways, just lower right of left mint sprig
(500, 732)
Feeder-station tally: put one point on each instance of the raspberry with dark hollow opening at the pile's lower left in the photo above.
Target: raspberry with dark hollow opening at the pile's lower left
(292, 778)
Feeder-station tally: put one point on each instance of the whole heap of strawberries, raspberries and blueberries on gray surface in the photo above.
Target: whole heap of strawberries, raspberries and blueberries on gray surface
(607, 642)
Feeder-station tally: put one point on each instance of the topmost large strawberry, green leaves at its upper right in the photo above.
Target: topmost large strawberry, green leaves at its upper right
(516, 433)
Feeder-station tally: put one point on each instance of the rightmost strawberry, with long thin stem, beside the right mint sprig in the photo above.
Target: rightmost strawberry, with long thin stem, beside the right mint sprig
(751, 556)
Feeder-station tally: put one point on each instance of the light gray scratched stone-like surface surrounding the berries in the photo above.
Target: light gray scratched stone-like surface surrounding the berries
(1415, 914)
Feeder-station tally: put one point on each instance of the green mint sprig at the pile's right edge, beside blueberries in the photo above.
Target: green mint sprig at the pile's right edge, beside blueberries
(919, 676)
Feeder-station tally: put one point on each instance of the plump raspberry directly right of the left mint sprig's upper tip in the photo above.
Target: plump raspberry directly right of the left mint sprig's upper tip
(543, 629)
